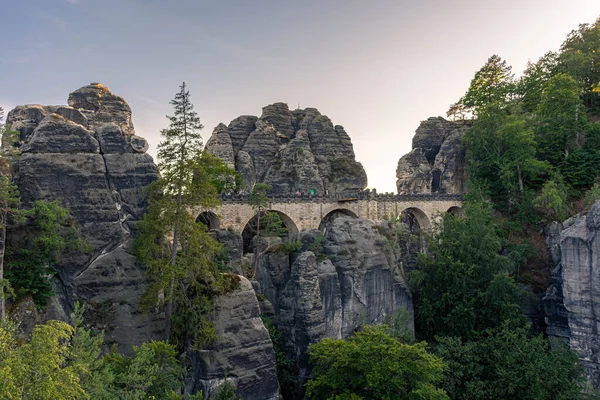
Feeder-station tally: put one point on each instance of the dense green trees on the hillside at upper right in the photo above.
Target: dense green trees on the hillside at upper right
(533, 144)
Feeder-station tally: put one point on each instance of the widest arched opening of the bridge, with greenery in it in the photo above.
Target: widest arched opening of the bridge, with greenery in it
(272, 223)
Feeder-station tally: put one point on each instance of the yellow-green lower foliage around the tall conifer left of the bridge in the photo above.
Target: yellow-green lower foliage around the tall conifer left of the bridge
(194, 276)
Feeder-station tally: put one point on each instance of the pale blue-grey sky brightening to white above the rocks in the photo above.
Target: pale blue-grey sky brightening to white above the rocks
(377, 67)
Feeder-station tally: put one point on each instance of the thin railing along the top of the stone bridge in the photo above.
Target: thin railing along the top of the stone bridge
(362, 195)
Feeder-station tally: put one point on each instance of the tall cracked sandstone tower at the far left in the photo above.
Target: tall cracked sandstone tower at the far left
(86, 155)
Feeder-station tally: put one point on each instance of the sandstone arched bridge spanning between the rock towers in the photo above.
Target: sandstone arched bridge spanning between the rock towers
(309, 212)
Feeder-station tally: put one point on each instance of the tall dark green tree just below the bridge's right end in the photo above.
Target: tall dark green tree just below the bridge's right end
(462, 286)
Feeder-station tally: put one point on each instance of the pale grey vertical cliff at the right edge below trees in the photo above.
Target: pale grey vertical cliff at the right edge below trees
(572, 302)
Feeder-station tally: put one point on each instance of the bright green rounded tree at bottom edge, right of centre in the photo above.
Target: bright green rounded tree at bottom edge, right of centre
(372, 364)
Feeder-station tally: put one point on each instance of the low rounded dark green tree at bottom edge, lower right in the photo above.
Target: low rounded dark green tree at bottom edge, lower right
(510, 364)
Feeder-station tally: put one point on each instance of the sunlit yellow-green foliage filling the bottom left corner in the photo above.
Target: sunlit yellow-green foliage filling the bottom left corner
(63, 362)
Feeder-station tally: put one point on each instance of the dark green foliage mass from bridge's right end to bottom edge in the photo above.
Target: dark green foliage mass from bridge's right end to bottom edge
(468, 307)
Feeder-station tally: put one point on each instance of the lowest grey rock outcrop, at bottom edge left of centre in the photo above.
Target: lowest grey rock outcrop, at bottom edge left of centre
(243, 351)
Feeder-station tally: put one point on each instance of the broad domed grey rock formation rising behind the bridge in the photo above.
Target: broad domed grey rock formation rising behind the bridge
(292, 151)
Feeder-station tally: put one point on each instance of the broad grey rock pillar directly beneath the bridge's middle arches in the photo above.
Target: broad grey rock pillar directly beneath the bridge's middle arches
(353, 279)
